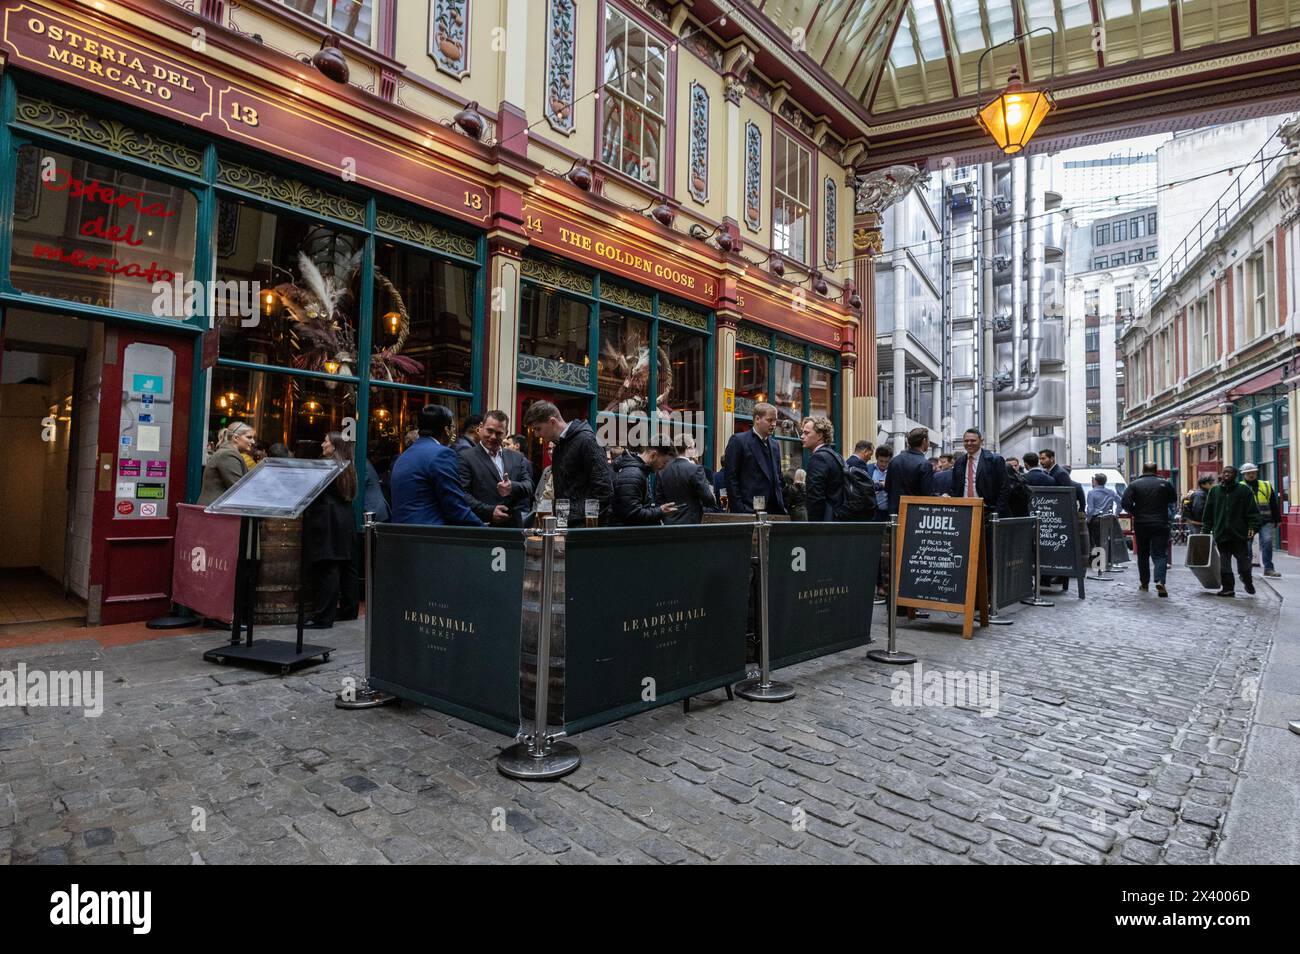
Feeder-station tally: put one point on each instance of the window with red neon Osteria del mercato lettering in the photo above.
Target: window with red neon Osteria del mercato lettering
(101, 236)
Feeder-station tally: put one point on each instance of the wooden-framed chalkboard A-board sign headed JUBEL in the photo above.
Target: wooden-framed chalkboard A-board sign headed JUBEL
(938, 562)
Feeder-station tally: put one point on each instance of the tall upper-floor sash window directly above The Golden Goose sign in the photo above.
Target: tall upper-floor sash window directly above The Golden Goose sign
(636, 68)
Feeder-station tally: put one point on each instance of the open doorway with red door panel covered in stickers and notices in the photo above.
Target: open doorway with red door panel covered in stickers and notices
(94, 422)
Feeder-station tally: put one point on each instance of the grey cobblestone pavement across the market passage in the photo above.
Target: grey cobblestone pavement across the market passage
(1119, 739)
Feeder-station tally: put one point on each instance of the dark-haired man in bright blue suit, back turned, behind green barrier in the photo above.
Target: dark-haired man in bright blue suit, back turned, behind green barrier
(427, 478)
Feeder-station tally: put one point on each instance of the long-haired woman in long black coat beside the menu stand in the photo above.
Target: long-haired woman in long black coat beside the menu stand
(330, 540)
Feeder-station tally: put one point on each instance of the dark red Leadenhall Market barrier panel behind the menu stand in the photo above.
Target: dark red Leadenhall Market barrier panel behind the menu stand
(203, 573)
